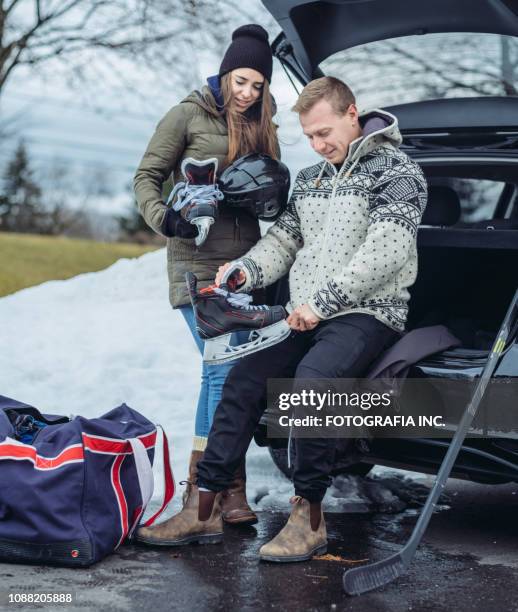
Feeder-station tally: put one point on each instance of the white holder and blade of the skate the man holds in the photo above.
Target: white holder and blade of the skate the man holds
(217, 350)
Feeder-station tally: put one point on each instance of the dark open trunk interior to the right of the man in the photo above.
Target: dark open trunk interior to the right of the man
(466, 280)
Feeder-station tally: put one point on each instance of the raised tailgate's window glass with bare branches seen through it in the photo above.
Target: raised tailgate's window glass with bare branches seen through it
(432, 66)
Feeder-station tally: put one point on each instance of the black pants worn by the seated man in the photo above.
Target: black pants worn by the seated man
(343, 347)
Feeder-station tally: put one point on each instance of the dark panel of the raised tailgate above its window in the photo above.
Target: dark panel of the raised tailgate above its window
(317, 30)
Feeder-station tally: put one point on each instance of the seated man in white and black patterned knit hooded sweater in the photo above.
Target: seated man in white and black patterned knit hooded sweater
(348, 240)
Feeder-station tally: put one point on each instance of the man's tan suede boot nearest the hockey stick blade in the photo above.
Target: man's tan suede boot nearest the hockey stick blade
(303, 536)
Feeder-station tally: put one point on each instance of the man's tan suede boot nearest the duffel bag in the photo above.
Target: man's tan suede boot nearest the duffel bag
(198, 521)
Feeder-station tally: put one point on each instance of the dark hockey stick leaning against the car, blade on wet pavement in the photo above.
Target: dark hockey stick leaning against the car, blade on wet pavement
(368, 577)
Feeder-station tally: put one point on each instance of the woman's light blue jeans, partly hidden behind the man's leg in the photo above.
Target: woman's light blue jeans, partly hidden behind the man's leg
(212, 380)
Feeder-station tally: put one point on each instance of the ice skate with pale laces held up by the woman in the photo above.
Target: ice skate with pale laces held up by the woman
(197, 197)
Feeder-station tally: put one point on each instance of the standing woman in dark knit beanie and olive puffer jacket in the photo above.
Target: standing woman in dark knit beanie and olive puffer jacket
(230, 117)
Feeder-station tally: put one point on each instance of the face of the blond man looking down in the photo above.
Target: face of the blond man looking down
(330, 134)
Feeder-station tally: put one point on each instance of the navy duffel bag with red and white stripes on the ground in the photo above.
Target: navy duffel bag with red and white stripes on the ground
(72, 490)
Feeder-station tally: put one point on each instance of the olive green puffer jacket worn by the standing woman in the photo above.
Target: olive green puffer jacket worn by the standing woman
(191, 129)
